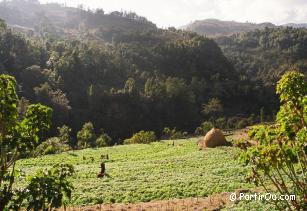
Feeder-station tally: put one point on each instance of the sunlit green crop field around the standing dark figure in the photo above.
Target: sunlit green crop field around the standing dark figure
(141, 173)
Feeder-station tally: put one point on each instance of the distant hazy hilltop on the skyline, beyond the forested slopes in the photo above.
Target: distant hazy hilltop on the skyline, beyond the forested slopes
(214, 27)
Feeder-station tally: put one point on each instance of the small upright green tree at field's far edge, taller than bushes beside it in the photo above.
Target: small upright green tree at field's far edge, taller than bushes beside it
(86, 136)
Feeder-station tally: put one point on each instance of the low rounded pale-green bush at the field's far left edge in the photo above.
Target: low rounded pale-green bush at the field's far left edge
(51, 146)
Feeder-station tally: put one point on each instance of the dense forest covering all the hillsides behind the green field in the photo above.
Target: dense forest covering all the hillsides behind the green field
(128, 78)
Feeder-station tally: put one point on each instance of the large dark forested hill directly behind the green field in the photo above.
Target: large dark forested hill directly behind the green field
(142, 80)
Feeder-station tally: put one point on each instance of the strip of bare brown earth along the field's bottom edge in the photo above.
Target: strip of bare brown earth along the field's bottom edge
(214, 202)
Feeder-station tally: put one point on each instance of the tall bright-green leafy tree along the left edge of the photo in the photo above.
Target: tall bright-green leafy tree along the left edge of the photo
(18, 135)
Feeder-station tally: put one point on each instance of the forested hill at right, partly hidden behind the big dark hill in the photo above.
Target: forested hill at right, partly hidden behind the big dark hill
(266, 54)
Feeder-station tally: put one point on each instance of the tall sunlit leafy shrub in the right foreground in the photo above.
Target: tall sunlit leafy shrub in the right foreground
(280, 155)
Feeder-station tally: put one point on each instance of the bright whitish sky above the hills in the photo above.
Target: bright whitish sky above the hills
(177, 13)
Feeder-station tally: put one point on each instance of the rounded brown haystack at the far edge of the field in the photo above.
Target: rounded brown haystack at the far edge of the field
(213, 138)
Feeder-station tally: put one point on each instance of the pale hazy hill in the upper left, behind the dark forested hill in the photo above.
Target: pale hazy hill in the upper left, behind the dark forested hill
(58, 20)
